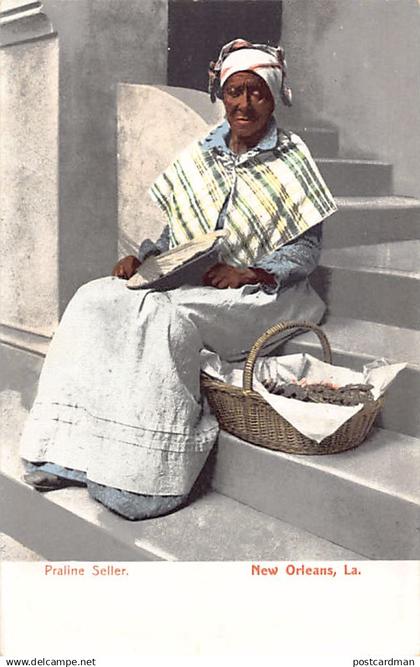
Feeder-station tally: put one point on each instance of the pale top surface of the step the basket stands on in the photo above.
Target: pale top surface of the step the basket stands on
(387, 462)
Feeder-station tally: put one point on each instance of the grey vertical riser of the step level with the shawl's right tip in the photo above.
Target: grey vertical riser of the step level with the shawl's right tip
(352, 227)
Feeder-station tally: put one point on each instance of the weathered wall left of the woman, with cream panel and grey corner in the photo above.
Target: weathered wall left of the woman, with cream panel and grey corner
(60, 65)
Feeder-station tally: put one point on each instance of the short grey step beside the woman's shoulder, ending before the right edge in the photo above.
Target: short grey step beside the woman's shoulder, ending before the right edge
(363, 178)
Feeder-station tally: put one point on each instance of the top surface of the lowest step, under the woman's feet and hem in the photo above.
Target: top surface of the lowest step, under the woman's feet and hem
(213, 527)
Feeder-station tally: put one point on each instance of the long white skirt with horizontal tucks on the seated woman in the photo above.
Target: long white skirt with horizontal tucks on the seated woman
(119, 394)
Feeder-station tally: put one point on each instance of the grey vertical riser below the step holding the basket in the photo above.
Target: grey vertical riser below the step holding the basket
(370, 522)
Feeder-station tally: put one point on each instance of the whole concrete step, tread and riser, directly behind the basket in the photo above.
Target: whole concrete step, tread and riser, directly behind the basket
(357, 342)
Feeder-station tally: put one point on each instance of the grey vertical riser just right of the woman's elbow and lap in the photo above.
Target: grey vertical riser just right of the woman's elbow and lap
(378, 297)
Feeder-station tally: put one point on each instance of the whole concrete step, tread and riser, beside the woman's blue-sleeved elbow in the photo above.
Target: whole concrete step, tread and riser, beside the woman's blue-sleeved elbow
(374, 282)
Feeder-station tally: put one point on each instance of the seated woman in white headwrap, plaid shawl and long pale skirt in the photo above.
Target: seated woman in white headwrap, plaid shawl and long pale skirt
(119, 406)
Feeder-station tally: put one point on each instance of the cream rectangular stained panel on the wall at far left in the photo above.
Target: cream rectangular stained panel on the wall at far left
(29, 186)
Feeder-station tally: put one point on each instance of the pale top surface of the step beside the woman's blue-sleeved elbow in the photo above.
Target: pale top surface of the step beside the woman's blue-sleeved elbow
(399, 258)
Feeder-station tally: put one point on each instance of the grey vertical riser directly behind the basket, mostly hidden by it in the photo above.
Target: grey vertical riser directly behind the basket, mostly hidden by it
(401, 408)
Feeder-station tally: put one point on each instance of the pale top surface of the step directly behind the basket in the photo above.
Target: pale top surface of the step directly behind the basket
(367, 339)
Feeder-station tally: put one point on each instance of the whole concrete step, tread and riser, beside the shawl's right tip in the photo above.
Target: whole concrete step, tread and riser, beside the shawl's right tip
(371, 220)
